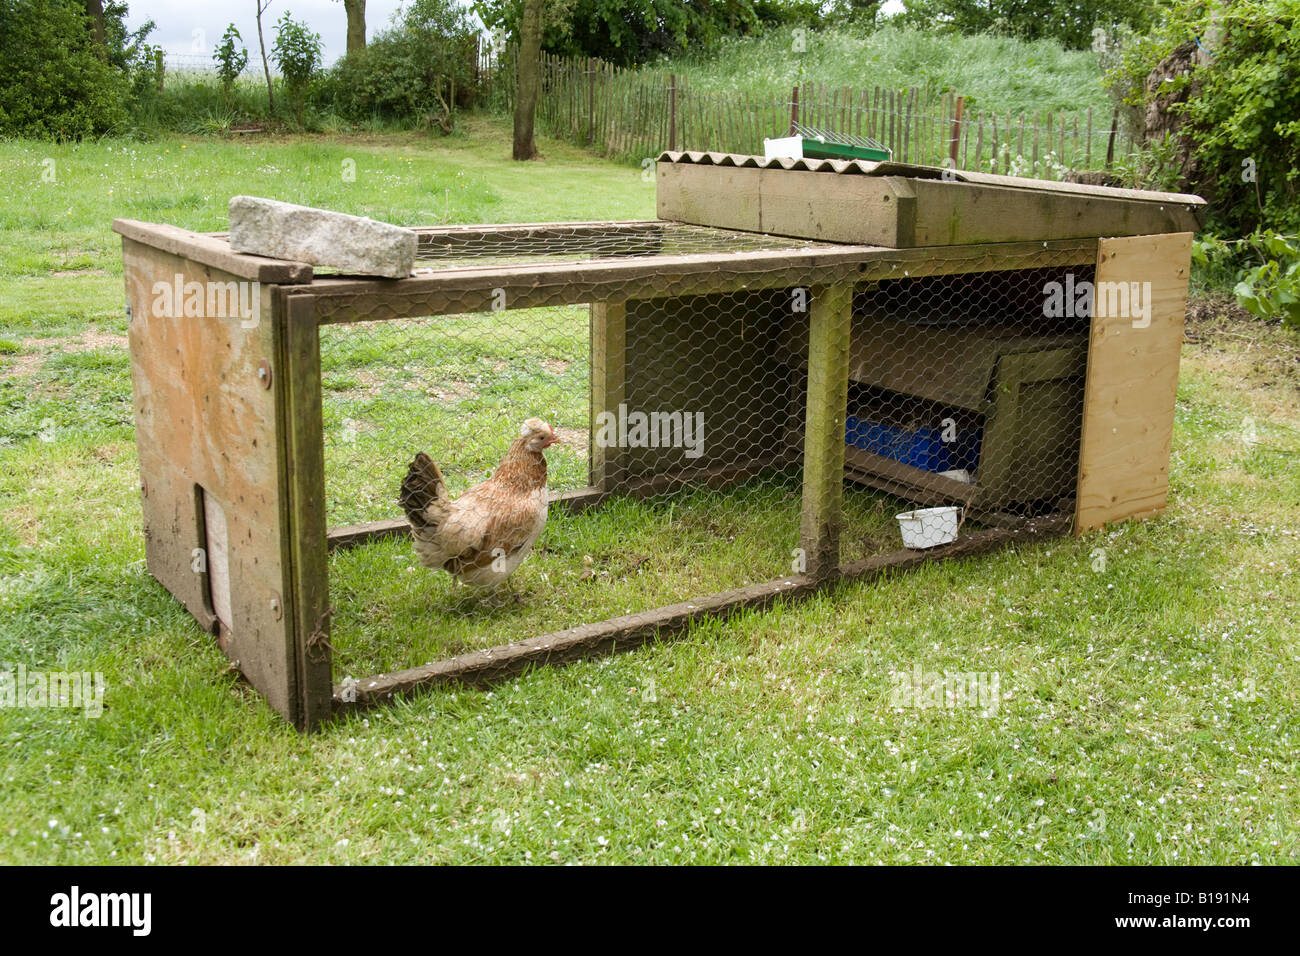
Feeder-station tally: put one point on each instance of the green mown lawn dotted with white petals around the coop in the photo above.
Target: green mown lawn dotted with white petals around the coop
(1147, 676)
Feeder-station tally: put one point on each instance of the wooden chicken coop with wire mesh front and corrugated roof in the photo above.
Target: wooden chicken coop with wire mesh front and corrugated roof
(803, 371)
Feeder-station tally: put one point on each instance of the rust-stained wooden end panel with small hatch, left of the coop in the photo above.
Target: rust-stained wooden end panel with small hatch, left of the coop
(205, 419)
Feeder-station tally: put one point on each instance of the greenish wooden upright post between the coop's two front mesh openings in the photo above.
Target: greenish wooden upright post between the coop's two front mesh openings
(830, 323)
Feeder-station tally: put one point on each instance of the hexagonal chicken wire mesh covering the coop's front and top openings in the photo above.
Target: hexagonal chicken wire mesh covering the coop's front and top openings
(673, 432)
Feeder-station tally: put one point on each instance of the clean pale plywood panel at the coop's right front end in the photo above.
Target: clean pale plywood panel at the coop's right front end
(1133, 379)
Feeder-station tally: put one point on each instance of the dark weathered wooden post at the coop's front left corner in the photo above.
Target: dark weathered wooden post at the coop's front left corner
(309, 590)
